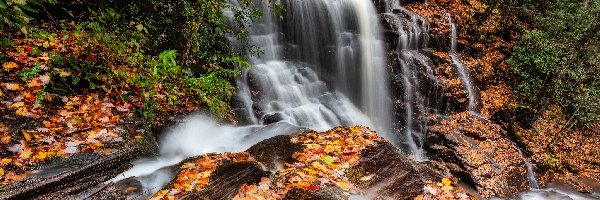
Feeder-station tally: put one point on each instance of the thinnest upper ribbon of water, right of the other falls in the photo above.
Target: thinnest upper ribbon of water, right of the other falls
(463, 74)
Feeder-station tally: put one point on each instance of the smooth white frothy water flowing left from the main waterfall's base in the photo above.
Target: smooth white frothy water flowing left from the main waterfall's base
(198, 135)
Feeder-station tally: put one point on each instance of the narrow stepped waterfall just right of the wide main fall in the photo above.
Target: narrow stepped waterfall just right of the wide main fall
(412, 40)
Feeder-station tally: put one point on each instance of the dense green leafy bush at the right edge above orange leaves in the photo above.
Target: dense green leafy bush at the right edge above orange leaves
(558, 62)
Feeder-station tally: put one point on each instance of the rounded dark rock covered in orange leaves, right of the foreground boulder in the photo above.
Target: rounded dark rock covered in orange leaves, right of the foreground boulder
(479, 153)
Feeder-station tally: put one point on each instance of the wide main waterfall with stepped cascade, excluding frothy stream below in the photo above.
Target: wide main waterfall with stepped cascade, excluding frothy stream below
(323, 66)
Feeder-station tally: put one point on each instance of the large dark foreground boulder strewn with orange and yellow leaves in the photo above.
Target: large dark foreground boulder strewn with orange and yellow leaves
(336, 164)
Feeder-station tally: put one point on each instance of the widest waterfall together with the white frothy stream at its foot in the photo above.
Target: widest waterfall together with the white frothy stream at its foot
(320, 60)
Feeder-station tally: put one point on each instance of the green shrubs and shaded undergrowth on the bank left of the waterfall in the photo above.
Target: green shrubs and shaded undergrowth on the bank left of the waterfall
(182, 46)
